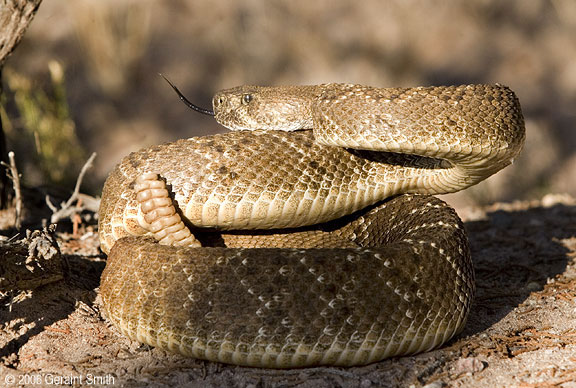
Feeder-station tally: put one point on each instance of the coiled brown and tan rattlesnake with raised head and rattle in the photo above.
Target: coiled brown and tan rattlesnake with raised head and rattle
(305, 247)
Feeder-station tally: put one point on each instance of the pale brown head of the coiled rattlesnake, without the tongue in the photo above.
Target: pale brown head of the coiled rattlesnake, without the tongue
(281, 108)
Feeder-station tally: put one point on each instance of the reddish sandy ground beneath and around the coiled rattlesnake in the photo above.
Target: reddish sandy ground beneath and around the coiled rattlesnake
(521, 331)
